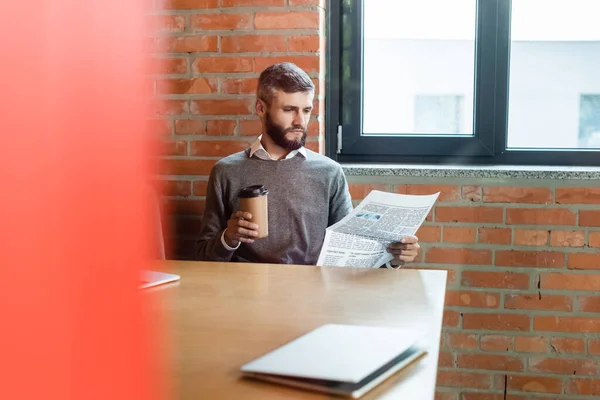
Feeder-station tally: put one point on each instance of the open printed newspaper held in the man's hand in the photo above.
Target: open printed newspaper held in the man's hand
(362, 237)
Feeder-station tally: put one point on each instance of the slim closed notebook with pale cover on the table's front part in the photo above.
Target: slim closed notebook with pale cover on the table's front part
(347, 360)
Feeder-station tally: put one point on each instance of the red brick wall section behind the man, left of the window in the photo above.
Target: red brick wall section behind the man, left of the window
(208, 55)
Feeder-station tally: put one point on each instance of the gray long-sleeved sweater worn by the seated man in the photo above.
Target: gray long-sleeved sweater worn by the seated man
(306, 195)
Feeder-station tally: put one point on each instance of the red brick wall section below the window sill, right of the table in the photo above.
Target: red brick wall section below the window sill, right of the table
(524, 280)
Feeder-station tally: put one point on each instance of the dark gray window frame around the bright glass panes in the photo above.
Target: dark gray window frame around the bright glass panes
(488, 144)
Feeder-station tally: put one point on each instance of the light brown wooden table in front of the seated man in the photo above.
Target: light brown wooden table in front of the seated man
(222, 315)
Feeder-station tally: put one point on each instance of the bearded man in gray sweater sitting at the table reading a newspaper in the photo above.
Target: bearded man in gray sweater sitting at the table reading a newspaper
(308, 192)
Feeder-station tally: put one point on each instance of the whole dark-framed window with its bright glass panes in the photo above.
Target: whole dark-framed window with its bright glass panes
(464, 81)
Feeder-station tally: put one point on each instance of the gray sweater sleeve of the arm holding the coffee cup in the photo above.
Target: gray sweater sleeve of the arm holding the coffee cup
(208, 246)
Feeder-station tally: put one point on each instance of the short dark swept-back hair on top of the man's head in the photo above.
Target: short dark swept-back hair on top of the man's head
(286, 77)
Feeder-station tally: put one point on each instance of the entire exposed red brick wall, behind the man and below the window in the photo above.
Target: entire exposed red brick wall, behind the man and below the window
(520, 320)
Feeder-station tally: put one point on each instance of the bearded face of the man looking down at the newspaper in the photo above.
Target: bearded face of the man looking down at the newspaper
(286, 120)
